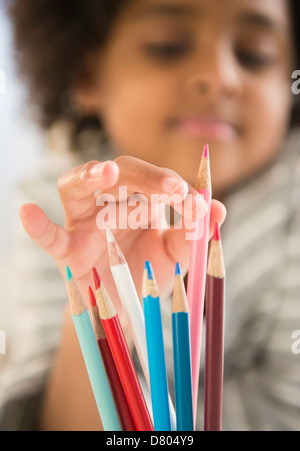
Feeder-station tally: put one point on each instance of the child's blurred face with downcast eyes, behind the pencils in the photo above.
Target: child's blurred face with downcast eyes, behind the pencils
(177, 74)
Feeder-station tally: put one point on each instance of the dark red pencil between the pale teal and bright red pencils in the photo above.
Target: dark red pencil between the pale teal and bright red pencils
(111, 370)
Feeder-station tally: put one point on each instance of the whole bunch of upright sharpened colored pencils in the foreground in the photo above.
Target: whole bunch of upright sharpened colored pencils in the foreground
(118, 394)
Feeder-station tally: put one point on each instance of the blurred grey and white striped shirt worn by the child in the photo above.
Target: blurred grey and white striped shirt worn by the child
(261, 242)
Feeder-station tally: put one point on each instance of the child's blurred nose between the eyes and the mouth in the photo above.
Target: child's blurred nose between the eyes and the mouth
(214, 72)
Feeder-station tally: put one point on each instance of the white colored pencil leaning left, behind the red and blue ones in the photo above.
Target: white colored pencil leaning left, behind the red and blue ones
(132, 308)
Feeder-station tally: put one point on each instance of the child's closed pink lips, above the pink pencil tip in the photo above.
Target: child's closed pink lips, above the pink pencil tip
(207, 128)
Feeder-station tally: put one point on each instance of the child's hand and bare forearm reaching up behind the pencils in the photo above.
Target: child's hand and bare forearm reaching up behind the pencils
(82, 246)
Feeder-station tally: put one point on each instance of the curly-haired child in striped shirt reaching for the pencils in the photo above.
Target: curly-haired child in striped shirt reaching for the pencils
(162, 78)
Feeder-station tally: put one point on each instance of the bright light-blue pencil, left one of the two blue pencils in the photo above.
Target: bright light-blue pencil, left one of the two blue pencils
(155, 350)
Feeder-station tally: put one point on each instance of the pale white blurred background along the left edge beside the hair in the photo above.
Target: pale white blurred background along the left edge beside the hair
(21, 150)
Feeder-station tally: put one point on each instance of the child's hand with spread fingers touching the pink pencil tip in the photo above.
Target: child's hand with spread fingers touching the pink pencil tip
(82, 245)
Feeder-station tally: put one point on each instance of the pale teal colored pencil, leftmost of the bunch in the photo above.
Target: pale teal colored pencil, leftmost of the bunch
(92, 358)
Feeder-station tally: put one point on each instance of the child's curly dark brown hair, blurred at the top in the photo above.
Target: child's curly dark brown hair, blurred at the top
(52, 38)
